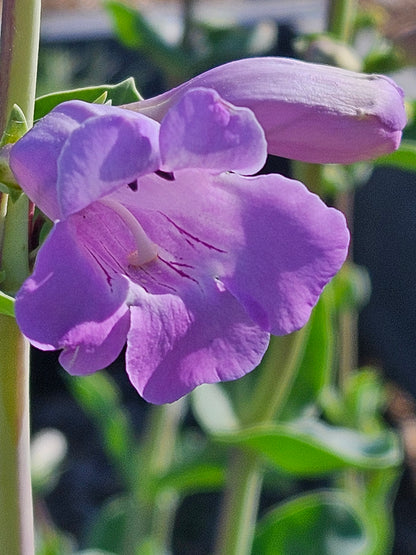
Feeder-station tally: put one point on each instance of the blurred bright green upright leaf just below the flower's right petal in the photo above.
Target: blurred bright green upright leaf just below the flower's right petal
(315, 368)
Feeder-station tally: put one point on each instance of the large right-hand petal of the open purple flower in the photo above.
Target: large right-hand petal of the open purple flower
(293, 246)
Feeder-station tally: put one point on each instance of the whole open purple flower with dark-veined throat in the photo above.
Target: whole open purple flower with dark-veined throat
(159, 240)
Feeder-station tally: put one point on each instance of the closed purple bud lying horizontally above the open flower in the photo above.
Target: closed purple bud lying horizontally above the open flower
(309, 112)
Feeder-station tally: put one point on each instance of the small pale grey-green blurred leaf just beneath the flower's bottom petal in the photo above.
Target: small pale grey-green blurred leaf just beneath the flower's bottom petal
(213, 409)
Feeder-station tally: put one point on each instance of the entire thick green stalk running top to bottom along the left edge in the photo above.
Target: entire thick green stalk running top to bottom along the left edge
(18, 65)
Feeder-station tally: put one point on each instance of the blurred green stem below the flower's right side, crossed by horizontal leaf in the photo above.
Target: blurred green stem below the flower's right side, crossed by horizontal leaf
(239, 512)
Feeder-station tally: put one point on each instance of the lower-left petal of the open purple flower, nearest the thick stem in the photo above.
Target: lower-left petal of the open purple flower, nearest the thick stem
(69, 302)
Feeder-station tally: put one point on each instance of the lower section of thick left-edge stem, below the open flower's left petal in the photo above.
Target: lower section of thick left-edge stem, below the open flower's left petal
(16, 522)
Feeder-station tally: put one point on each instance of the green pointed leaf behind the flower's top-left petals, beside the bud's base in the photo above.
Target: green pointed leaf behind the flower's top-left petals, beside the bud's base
(122, 93)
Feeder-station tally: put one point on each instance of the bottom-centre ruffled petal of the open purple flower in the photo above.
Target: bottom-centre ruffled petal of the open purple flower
(177, 343)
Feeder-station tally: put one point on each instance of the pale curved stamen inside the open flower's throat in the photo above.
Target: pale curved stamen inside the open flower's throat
(146, 249)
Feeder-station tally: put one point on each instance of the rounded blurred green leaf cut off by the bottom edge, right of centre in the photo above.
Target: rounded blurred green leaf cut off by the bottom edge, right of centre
(319, 523)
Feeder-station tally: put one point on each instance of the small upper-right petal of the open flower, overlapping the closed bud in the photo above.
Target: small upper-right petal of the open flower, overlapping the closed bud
(204, 131)
